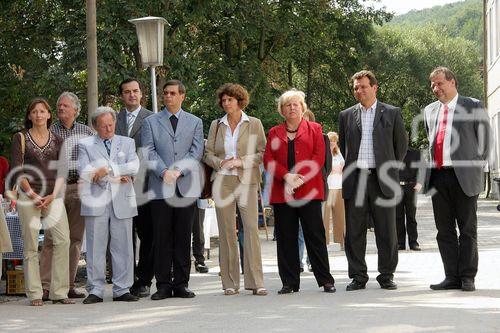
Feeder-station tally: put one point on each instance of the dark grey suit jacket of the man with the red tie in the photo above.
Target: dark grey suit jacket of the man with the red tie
(471, 135)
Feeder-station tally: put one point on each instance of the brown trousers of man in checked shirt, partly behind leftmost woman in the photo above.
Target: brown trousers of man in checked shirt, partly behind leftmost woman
(76, 223)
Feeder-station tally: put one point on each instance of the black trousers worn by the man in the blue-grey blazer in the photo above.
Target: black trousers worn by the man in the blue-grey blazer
(172, 227)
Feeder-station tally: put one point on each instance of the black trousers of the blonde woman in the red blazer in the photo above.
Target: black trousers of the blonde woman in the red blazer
(287, 229)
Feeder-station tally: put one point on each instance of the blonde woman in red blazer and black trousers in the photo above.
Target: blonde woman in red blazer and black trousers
(294, 156)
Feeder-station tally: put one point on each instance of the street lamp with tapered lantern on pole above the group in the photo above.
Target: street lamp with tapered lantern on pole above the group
(150, 35)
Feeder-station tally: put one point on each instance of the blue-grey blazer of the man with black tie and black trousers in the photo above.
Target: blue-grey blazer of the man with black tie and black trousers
(166, 150)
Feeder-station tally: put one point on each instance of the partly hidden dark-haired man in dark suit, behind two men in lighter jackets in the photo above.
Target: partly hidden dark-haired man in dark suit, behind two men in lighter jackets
(129, 123)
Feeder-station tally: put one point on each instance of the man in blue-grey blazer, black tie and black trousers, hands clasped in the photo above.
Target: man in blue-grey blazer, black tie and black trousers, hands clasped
(174, 144)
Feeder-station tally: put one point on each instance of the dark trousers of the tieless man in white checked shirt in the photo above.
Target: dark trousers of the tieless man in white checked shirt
(384, 219)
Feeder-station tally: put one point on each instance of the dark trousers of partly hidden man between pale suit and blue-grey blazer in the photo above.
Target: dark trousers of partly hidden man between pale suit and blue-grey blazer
(143, 229)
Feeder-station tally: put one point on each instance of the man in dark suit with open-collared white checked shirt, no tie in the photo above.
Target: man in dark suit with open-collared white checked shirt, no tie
(372, 139)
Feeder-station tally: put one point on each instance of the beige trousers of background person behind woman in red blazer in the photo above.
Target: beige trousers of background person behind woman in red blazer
(334, 209)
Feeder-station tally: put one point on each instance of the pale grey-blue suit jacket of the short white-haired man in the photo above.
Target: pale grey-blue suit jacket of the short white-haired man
(123, 161)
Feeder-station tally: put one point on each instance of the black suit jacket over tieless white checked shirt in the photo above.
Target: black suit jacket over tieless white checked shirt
(389, 144)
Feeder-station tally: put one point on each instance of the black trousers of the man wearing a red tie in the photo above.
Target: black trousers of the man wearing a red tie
(453, 207)
